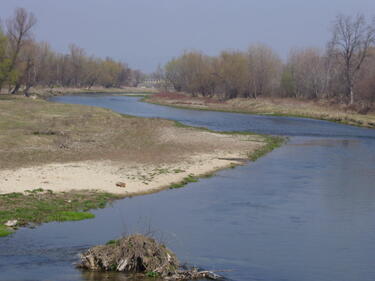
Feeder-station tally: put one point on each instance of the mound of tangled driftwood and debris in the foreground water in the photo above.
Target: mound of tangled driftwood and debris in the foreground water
(139, 254)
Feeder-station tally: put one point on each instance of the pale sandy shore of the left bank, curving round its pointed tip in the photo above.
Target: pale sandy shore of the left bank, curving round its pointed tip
(225, 151)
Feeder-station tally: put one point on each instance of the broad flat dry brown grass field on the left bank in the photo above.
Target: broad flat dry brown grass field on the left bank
(37, 132)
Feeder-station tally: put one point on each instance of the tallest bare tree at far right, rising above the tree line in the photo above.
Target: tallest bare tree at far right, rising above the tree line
(350, 43)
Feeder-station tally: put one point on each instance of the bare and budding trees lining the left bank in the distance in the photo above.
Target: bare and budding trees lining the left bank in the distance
(25, 63)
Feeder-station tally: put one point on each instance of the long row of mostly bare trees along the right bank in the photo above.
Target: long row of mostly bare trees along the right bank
(344, 72)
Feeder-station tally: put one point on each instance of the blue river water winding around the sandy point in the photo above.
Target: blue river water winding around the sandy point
(304, 212)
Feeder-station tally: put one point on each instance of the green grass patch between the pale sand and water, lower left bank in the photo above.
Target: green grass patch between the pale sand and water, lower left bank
(39, 206)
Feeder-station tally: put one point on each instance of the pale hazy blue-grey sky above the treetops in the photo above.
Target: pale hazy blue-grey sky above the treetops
(147, 32)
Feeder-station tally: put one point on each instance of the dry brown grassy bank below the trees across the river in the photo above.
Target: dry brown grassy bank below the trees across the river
(273, 106)
